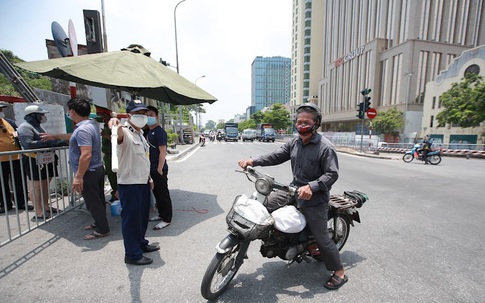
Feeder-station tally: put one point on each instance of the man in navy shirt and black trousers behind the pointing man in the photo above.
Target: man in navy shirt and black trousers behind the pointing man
(157, 139)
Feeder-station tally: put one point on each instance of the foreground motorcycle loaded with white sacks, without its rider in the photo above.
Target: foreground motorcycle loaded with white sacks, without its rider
(283, 233)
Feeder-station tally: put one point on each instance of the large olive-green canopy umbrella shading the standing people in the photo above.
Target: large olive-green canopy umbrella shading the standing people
(127, 70)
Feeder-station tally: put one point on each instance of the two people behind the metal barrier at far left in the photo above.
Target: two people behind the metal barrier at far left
(27, 136)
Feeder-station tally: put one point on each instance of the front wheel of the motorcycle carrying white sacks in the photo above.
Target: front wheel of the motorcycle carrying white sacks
(220, 273)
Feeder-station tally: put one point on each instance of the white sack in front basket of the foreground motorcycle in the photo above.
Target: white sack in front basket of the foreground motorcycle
(249, 217)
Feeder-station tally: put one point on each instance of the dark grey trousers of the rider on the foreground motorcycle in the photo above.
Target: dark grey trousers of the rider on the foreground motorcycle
(316, 217)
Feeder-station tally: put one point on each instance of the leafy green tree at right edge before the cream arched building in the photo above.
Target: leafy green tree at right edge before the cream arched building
(464, 103)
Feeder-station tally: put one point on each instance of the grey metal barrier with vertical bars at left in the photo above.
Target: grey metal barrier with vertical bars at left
(14, 180)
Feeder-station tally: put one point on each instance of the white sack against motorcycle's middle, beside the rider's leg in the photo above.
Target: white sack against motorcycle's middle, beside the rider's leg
(288, 219)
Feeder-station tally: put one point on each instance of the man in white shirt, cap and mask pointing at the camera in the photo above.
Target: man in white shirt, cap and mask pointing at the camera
(134, 183)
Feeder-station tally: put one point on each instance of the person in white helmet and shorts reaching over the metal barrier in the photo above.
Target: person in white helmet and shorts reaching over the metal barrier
(41, 174)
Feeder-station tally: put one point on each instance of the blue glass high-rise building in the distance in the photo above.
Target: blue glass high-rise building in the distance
(270, 77)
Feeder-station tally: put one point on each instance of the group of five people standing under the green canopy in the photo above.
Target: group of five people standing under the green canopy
(142, 172)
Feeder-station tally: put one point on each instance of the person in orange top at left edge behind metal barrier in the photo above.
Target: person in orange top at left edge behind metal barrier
(9, 142)
